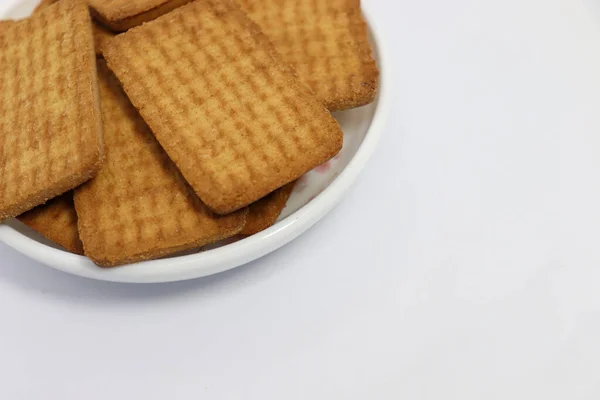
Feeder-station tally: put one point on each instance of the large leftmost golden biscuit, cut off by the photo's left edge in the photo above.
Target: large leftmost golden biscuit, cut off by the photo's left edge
(50, 124)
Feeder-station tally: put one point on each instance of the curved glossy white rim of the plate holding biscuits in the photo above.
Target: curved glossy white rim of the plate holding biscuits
(243, 251)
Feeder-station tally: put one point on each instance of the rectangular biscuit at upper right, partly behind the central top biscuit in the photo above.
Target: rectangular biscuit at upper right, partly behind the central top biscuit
(326, 42)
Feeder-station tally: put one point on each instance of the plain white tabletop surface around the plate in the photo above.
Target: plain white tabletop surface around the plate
(464, 264)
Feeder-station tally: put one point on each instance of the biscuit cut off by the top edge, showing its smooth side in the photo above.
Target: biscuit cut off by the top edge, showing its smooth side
(121, 15)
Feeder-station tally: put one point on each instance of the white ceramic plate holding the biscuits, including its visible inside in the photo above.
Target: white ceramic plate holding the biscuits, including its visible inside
(314, 196)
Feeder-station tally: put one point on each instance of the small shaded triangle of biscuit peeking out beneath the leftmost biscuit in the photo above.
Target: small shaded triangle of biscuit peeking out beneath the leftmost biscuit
(57, 221)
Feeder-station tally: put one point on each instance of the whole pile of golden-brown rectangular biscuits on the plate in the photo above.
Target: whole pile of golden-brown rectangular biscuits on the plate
(135, 129)
